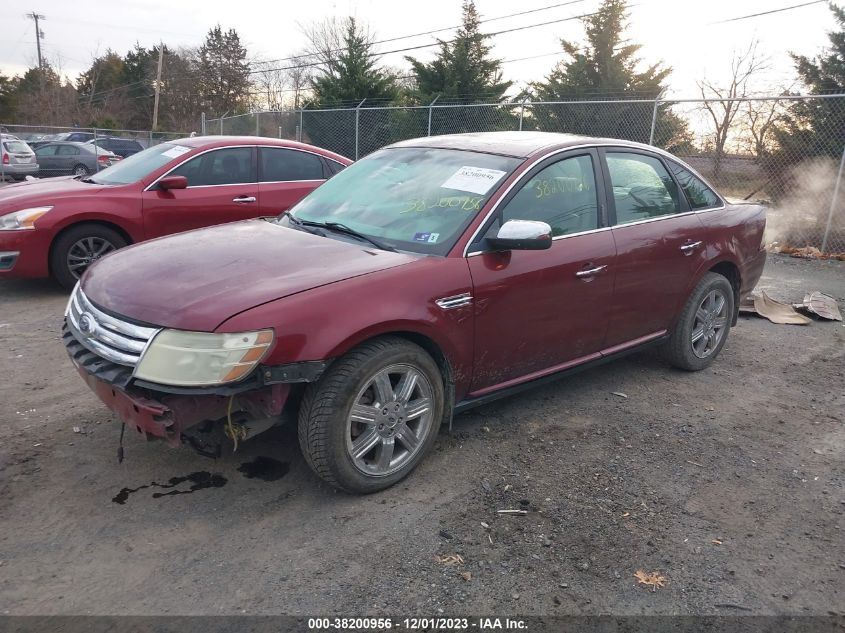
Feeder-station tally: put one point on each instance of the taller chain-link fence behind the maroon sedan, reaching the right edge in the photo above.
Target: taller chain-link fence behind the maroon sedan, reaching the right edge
(787, 152)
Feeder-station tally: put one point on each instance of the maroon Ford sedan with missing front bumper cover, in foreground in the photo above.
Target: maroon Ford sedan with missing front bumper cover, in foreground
(432, 276)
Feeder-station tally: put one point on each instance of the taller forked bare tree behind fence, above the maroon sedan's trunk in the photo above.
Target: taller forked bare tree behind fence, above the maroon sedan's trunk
(725, 108)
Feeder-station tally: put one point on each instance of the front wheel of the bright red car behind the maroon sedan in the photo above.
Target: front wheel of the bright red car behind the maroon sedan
(79, 247)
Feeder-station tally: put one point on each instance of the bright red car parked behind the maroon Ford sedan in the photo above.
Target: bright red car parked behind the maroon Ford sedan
(58, 227)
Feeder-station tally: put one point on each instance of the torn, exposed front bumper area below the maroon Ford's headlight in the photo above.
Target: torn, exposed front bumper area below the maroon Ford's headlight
(184, 415)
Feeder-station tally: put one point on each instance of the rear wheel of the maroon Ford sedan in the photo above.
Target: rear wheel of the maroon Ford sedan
(703, 326)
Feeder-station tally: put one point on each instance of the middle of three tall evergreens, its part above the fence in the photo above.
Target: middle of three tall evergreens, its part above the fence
(463, 71)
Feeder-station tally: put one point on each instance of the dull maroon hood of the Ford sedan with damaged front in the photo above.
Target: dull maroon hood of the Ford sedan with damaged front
(197, 280)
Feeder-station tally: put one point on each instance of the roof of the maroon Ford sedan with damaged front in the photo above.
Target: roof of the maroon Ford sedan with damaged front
(515, 144)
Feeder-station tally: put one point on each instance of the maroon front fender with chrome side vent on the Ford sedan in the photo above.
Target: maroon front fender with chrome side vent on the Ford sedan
(326, 322)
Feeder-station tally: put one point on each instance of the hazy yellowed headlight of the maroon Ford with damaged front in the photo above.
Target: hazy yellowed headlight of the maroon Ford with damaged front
(194, 359)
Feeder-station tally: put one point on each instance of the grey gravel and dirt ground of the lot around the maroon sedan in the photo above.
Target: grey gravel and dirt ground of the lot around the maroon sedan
(729, 483)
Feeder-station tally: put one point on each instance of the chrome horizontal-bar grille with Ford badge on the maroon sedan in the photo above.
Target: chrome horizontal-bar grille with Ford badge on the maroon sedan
(111, 338)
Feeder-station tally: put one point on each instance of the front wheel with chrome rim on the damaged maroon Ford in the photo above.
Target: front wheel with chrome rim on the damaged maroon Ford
(373, 415)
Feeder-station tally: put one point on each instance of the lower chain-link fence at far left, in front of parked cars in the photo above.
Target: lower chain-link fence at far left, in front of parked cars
(107, 147)
